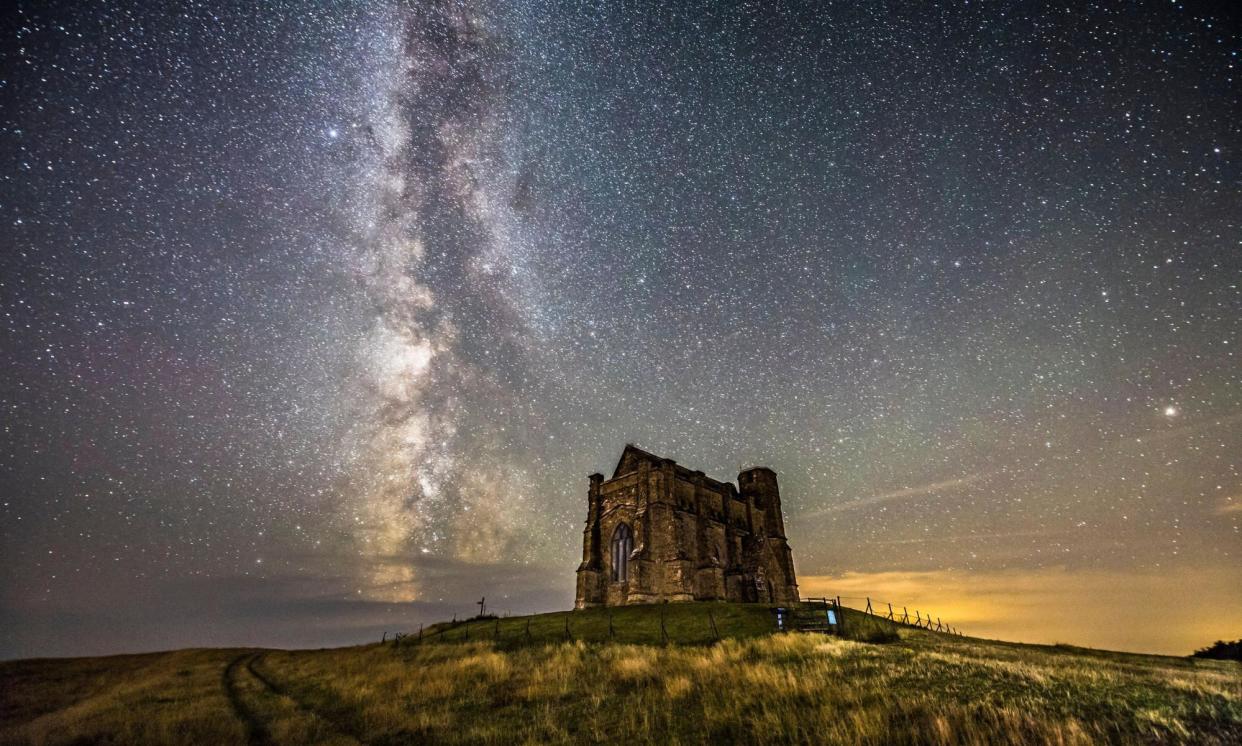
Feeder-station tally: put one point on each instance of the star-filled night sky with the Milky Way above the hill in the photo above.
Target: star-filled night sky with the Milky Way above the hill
(316, 320)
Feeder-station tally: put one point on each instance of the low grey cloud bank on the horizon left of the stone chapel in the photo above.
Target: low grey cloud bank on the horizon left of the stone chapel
(278, 611)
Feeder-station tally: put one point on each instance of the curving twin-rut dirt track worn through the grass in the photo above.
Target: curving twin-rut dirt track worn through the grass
(270, 714)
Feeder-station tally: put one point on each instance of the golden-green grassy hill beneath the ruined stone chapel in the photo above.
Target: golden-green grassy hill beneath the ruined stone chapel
(527, 681)
